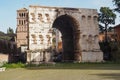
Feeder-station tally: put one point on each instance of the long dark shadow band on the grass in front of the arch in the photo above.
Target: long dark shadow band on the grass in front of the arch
(87, 66)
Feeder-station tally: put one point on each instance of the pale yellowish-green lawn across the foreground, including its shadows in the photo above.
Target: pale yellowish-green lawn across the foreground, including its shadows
(64, 71)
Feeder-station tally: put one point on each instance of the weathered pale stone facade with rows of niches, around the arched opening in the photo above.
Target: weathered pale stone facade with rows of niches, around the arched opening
(41, 20)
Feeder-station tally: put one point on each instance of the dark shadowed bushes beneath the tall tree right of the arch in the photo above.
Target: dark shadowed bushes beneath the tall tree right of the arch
(112, 50)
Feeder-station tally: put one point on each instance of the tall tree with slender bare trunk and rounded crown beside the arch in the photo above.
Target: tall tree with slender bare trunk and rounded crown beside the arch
(106, 17)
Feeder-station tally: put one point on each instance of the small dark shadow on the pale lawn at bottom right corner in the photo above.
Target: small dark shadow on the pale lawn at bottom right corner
(109, 76)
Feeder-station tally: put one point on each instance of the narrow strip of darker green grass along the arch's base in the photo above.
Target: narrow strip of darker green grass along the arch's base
(105, 65)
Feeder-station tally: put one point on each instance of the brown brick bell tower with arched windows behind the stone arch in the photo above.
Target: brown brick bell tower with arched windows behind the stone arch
(22, 28)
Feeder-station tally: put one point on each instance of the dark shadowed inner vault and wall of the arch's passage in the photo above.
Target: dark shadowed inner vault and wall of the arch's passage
(68, 27)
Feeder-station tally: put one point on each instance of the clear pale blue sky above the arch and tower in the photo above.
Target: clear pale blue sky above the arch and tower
(8, 8)
